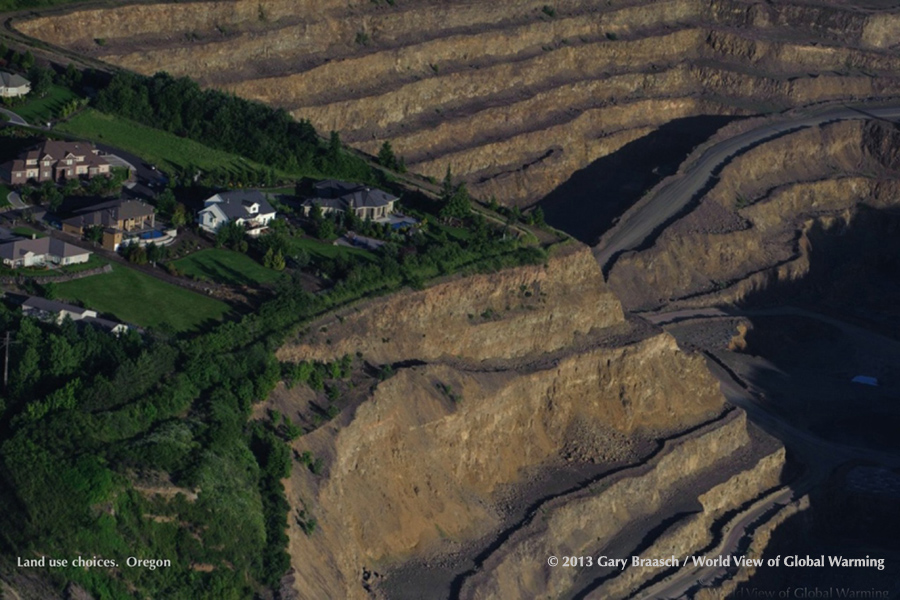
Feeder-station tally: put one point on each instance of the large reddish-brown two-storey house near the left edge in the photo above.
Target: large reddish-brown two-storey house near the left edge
(56, 161)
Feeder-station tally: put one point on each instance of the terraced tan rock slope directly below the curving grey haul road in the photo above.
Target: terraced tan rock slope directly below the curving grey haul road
(755, 228)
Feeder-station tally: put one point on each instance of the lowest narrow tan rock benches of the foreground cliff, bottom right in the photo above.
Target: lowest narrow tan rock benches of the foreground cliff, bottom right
(583, 525)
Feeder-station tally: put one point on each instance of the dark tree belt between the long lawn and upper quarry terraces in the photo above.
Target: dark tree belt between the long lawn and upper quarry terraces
(225, 122)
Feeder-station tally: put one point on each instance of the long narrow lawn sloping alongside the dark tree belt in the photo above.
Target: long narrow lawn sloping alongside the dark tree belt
(155, 146)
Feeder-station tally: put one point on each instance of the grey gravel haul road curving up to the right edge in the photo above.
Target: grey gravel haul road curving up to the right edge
(640, 224)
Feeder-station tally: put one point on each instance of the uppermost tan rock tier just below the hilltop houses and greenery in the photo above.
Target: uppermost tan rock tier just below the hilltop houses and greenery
(516, 313)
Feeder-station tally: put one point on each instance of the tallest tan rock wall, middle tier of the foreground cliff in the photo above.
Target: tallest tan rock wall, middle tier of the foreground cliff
(412, 467)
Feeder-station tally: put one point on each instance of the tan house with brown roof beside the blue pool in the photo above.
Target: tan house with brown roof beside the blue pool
(121, 220)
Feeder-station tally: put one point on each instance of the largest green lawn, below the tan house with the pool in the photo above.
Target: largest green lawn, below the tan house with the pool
(137, 298)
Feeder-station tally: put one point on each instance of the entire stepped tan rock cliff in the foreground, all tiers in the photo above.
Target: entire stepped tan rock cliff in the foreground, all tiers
(425, 467)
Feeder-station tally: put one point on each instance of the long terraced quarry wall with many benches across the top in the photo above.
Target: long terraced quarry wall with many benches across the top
(515, 96)
